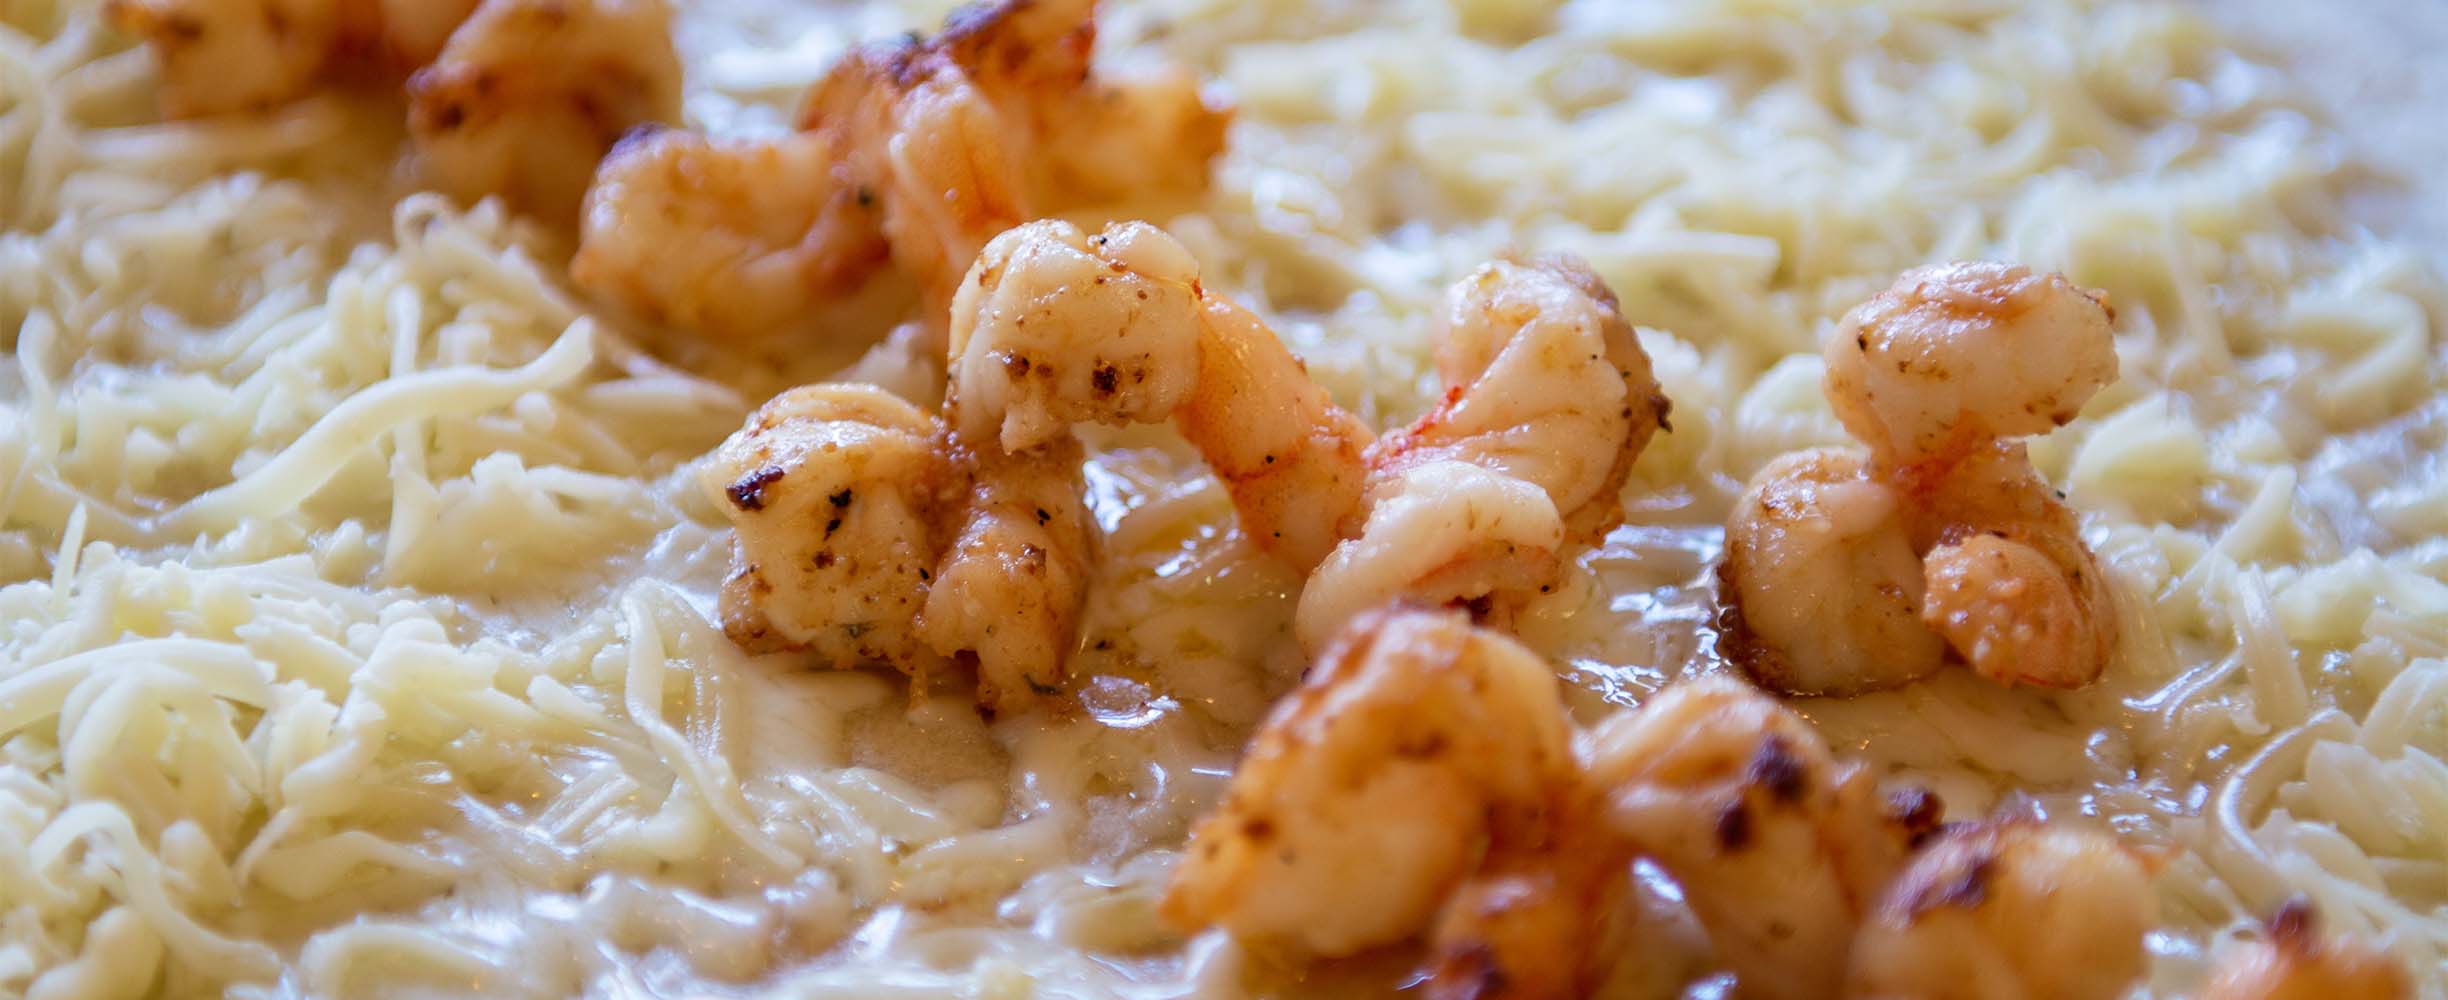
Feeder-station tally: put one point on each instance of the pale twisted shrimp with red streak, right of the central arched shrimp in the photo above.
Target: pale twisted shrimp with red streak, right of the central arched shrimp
(1551, 398)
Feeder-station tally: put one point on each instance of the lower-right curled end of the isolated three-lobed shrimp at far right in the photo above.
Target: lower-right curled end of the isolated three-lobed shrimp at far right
(2009, 580)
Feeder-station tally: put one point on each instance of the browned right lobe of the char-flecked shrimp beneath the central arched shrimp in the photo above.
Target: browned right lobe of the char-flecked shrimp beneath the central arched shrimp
(1010, 592)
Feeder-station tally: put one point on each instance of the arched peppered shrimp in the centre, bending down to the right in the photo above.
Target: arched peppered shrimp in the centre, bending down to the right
(1059, 327)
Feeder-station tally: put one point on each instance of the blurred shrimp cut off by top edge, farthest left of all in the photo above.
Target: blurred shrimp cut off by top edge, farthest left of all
(251, 55)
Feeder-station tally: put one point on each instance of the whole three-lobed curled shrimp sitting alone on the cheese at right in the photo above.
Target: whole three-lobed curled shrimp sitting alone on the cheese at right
(1832, 558)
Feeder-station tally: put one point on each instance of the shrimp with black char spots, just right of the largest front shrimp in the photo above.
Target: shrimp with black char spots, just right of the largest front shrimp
(1778, 849)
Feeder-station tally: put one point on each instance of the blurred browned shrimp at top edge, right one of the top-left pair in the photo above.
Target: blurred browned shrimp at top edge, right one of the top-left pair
(530, 94)
